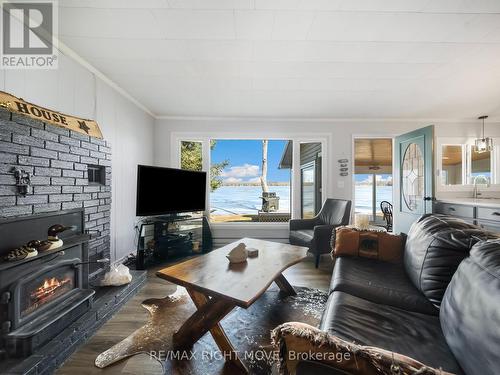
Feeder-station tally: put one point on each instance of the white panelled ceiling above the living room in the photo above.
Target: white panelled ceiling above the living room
(295, 58)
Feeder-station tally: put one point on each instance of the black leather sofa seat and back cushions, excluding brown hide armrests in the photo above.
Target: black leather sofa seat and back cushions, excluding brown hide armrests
(423, 308)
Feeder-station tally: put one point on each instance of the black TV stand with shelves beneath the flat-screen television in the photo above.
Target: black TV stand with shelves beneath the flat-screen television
(165, 237)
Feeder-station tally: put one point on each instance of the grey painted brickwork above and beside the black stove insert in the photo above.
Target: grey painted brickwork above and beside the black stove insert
(57, 159)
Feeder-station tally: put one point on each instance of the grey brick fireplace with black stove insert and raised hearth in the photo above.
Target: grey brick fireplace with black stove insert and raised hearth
(50, 304)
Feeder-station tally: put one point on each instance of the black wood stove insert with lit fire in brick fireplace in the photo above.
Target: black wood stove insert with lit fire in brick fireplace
(41, 296)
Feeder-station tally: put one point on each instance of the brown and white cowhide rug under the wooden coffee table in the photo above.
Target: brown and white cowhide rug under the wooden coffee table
(247, 329)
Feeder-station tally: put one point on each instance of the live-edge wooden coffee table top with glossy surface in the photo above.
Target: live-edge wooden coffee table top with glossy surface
(242, 283)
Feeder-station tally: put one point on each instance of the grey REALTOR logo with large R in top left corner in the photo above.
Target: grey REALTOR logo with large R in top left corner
(28, 34)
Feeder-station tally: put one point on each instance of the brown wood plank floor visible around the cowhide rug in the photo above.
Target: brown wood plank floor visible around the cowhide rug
(132, 316)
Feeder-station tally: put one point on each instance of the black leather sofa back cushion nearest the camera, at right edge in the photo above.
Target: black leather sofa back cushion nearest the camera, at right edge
(470, 311)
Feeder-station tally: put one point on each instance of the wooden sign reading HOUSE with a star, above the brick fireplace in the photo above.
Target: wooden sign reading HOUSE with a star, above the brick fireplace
(18, 105)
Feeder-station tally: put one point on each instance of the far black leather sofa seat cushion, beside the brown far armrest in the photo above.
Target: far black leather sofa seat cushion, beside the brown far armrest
(379, 282)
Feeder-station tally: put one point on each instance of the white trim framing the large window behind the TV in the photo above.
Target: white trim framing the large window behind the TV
(297, 138)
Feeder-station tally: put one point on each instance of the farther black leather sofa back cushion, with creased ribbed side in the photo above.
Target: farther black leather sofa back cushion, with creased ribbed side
(435, 246)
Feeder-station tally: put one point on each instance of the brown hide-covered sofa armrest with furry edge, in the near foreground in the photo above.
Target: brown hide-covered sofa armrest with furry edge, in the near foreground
(295, 342)
